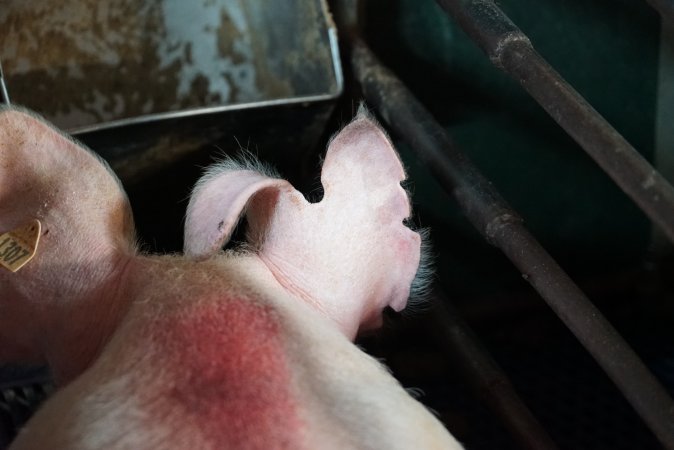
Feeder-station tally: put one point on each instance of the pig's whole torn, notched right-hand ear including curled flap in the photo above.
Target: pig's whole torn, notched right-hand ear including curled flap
(349, 255)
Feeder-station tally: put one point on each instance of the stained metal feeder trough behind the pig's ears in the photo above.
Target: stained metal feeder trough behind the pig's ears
(158, 87)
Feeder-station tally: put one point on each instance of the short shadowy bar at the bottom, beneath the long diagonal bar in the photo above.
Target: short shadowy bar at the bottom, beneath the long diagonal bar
(487, 379)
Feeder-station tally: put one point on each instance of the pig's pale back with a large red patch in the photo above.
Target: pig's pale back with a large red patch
(250, 369)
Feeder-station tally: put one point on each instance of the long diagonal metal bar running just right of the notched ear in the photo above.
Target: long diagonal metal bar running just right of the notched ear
(501, 225)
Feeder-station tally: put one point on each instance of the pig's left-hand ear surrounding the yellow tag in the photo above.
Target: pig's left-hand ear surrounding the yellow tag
(87, 232)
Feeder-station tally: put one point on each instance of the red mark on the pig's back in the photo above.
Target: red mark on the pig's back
(229, 375)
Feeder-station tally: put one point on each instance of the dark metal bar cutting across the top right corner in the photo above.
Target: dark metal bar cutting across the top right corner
(512, 51)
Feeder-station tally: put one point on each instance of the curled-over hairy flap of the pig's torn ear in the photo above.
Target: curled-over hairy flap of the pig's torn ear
(218, 201)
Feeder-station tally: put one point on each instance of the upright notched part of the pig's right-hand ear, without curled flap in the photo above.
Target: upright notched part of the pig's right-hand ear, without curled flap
(354, 242)
